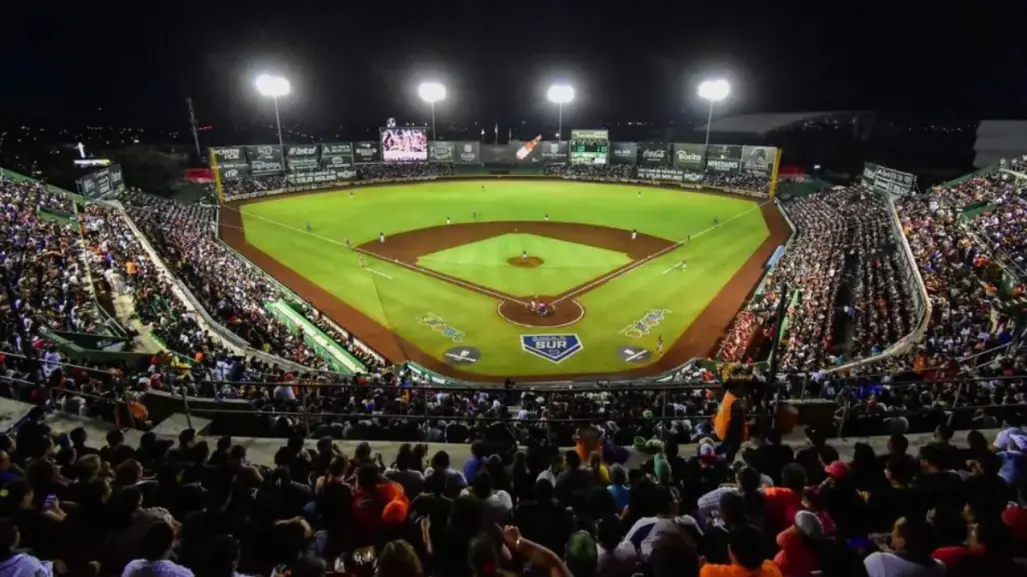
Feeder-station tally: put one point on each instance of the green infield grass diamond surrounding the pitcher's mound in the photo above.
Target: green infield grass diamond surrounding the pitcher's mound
(566, 264)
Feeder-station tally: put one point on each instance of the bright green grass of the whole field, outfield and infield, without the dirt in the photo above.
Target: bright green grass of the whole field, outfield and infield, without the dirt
(400, 298)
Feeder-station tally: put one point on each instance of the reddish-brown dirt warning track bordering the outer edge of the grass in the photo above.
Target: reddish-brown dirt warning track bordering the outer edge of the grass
(698, 341)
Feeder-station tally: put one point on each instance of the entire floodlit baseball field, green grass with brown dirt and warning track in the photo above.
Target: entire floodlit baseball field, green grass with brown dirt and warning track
(446, 274)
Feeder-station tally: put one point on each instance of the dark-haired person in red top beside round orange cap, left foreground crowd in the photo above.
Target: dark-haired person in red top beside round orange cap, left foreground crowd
(377, 506)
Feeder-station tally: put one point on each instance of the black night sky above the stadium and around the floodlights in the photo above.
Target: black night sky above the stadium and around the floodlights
(353, 60)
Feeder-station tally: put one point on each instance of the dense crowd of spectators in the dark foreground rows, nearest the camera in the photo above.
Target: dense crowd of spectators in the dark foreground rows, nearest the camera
(70, 508)
